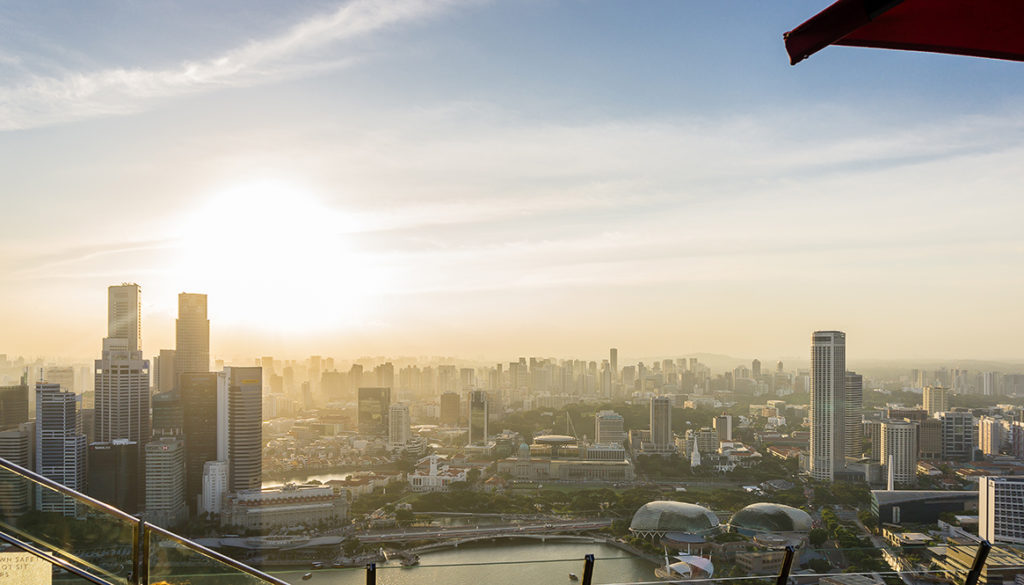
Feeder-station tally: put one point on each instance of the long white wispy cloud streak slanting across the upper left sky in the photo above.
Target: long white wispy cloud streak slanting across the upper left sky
(41, 101)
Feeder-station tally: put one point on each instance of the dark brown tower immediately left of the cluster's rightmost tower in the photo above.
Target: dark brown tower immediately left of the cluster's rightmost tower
(200, 422)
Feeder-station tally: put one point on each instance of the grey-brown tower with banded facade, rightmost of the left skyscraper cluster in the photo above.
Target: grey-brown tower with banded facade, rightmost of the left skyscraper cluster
(245, 427)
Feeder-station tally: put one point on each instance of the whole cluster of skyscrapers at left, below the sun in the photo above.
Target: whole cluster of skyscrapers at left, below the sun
(165, 456)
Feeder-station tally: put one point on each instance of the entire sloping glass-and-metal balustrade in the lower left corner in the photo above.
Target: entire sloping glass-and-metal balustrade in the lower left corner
(92, 540)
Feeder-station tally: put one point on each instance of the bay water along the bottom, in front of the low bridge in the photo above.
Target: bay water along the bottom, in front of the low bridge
(505, 564)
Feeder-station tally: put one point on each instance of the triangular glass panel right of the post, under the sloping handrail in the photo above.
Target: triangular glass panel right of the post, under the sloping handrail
(174, 564)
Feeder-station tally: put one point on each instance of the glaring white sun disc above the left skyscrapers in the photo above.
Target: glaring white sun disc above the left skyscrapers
(273, 256)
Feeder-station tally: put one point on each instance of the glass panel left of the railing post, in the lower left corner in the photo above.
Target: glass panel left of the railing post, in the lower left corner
(84, 534)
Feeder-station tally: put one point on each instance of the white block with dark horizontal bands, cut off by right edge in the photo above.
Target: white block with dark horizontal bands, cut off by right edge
(1001, 517)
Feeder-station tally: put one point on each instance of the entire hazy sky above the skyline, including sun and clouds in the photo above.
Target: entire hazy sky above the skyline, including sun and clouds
(502, 179)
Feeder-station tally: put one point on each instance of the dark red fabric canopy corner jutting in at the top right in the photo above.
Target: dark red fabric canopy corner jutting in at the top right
(992, 29)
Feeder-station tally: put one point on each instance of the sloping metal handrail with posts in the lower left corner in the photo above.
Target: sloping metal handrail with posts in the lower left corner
(143, 533)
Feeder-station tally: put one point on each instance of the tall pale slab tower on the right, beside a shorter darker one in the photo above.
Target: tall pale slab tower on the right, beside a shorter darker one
(828, 411)
